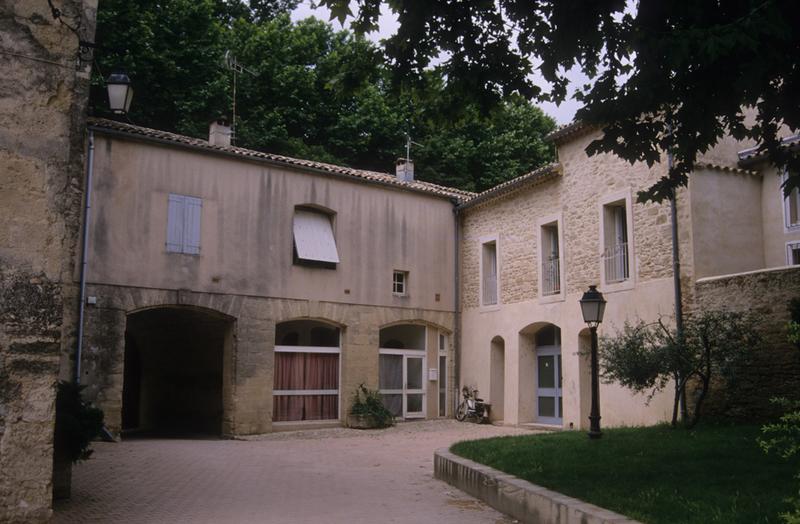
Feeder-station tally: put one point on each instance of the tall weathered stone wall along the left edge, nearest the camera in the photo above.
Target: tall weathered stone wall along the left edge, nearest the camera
(42, 110)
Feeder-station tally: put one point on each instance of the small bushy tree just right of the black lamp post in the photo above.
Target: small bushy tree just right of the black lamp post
(647, 357)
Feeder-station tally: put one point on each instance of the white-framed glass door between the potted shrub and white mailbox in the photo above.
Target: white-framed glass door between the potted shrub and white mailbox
(402, 382)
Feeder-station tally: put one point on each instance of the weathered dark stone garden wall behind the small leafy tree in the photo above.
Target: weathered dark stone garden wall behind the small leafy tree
(775, 369)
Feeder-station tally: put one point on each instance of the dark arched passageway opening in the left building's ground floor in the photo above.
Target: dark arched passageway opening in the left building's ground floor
(173, 378)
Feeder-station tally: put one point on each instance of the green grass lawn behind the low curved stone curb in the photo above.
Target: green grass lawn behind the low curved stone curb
(712, 474)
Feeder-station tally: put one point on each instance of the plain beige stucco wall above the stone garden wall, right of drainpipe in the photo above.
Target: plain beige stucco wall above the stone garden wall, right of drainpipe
(728, 235)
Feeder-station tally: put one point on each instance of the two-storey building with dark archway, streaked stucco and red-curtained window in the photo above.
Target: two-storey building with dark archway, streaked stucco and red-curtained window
(236, 292)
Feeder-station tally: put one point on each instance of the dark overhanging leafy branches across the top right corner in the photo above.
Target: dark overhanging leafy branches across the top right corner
(664, 75)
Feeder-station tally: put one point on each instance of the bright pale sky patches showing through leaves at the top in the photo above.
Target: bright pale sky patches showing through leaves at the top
(563, 114)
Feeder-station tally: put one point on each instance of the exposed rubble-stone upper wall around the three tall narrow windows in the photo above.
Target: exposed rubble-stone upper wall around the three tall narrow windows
(576, 194)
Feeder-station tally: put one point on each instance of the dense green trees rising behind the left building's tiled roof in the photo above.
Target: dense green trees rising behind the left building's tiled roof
(310, 92)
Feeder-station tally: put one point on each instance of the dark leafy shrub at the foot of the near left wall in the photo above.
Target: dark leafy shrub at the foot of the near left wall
(77, 423)
